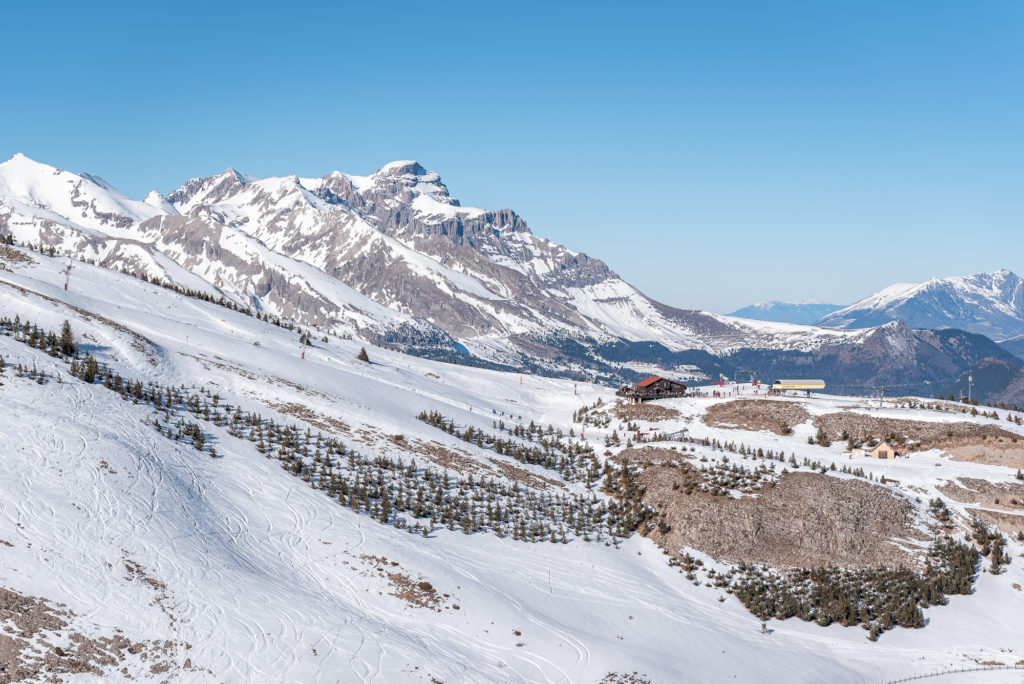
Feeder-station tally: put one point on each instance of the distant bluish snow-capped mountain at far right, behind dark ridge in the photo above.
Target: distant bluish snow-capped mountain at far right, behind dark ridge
(992, 305)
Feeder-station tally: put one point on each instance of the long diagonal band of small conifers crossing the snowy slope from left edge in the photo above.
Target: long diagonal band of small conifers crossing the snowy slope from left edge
(391, 491)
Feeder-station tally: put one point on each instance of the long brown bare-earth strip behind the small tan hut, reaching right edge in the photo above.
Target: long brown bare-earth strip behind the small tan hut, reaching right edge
(953, 438)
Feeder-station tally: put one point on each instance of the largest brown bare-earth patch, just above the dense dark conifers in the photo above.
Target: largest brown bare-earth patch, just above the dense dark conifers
(804, 521)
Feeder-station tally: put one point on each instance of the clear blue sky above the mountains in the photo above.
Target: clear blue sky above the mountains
(712, 154)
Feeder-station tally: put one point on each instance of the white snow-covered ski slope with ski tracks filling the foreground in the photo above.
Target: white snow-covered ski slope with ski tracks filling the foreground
(236, 571)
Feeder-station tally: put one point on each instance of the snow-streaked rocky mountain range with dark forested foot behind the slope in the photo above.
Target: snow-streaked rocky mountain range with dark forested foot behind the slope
(394, 259)
